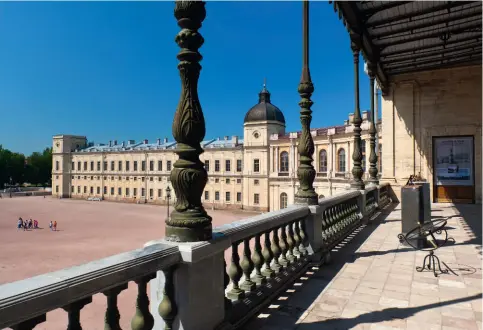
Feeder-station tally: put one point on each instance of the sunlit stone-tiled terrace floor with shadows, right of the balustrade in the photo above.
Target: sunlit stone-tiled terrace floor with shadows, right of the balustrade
(372, 283)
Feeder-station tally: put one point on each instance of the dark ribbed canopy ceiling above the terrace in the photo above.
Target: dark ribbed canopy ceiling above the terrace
(408, 36)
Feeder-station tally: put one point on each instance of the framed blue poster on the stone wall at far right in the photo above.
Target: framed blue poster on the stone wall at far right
(453, 161)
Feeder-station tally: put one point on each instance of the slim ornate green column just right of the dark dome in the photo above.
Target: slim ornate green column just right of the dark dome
(305, 171)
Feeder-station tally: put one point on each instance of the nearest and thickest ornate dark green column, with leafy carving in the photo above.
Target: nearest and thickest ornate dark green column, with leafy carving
(189, 221)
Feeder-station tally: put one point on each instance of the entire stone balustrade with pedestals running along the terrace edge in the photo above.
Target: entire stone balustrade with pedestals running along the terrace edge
(202, 285)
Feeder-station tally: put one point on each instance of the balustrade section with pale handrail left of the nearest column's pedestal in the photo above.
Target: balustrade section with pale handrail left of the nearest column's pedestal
(24, 304)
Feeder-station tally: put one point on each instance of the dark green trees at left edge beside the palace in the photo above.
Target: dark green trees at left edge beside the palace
(17, 169)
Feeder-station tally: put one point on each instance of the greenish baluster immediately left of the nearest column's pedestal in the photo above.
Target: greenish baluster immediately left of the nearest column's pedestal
(142, 319)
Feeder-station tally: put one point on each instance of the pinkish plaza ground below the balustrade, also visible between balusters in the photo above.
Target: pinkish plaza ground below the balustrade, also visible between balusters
(86, 231)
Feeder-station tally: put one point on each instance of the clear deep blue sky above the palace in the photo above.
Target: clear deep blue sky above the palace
(108, 70)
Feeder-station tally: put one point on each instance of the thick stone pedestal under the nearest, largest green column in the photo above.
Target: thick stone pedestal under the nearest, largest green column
(198, 287)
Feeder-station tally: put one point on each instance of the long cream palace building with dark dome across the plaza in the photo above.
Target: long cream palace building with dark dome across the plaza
(256, 172)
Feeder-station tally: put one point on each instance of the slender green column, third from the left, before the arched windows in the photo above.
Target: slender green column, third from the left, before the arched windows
(357, 171)
